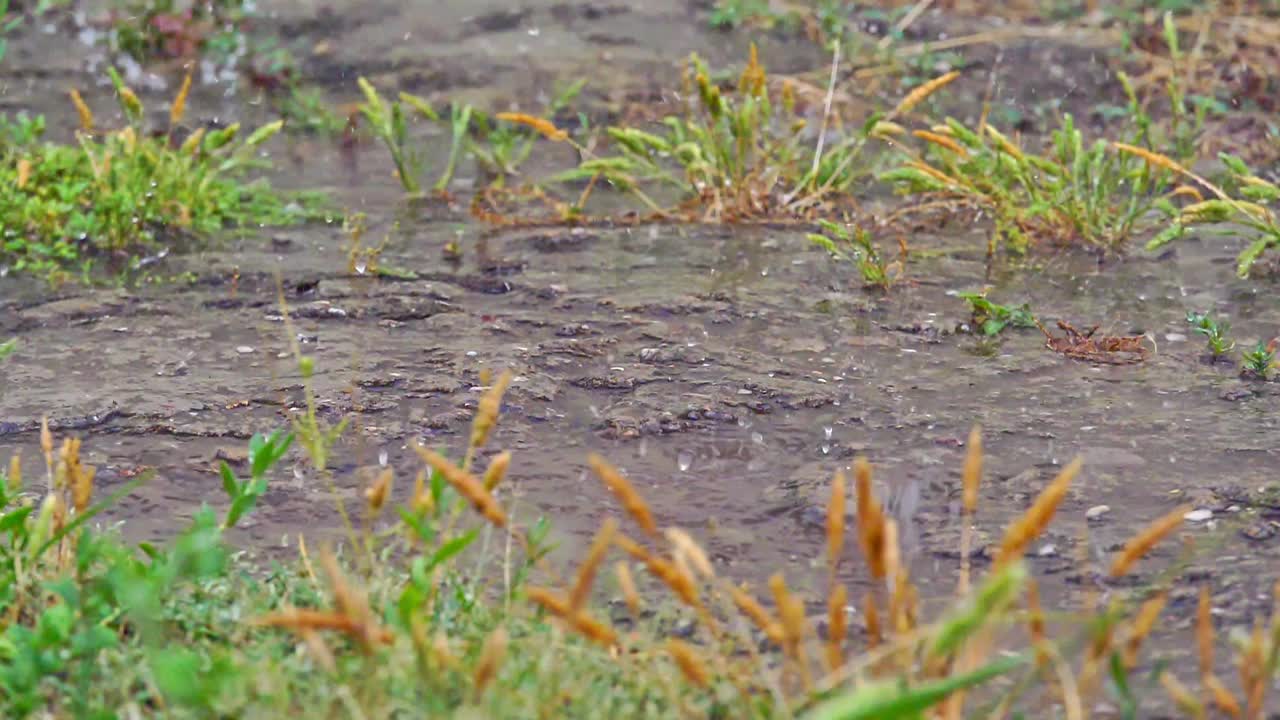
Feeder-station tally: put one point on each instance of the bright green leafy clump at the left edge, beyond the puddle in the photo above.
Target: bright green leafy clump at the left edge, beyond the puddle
(116, 197)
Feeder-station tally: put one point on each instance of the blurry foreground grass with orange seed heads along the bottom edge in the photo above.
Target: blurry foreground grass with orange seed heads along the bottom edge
(433, 610)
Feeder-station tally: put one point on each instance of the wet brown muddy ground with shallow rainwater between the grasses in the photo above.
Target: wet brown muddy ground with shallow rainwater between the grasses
(729, 371)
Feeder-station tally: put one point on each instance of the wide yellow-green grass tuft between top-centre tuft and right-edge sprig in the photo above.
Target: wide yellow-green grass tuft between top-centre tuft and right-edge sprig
(1072, 193)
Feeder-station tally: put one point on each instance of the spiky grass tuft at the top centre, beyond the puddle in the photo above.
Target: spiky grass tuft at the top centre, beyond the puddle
(743, 152)
